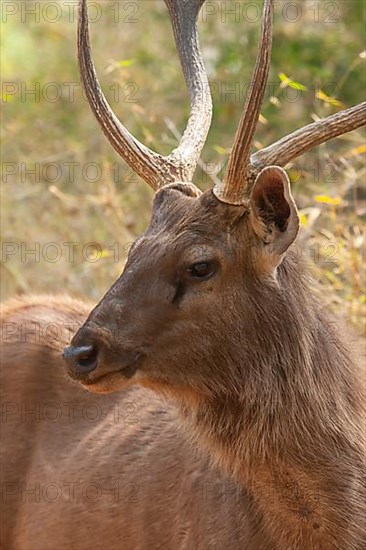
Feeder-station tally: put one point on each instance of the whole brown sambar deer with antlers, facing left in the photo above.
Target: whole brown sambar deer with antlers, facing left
(260, 443)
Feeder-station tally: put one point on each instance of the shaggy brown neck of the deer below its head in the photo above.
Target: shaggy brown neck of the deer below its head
(291, 435)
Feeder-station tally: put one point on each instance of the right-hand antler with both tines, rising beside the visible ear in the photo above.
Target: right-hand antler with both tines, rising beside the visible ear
(242, 167)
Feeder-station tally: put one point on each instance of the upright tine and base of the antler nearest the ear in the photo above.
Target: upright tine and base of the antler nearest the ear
(232, 190)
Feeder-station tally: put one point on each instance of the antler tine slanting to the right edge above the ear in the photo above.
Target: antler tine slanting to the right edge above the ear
(292, 146)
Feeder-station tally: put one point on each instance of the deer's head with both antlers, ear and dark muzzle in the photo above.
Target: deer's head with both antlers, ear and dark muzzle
(214, 276)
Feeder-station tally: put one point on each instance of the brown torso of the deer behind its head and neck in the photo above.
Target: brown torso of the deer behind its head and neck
(157, 491)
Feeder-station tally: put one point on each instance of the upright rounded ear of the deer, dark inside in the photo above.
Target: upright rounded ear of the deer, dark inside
(274, 214)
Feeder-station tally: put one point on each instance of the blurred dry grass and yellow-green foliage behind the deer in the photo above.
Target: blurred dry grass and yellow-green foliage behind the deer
(71, 206)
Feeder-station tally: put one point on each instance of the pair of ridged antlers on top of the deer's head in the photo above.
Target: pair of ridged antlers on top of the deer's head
(180, 164)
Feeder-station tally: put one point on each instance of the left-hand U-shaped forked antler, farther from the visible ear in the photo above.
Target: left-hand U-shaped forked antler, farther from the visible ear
(154, 168)
